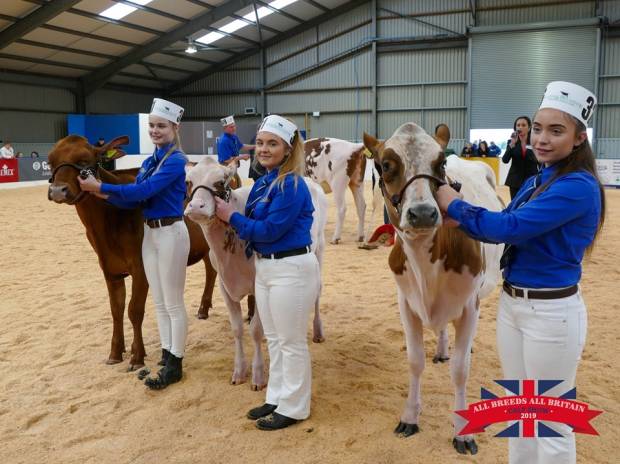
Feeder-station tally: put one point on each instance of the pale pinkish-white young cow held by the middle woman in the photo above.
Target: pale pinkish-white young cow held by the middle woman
(236, 272)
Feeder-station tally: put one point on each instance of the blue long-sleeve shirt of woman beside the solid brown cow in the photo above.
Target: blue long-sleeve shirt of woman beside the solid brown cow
(160, 193)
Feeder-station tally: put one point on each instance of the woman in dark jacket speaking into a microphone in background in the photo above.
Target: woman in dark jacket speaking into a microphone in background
(519, 151)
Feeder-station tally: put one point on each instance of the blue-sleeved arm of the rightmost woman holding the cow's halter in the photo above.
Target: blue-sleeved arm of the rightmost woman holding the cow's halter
(564, 200)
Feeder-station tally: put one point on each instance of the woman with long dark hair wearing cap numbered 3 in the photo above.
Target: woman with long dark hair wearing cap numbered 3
(551, 223)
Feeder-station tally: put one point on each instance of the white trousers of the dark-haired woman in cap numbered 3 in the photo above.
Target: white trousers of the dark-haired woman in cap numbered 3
(542, 340)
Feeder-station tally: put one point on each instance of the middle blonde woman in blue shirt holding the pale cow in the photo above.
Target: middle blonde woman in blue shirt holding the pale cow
(276, 225)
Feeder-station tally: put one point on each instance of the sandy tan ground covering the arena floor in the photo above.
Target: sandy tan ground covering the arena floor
(59, 402)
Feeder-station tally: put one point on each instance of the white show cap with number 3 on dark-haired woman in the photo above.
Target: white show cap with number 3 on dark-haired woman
(570, 98)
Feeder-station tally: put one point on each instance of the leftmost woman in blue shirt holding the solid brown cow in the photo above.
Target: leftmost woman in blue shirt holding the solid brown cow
(160, 191)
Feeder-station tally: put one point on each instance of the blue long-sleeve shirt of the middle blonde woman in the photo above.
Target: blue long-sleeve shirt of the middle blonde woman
(281, 218)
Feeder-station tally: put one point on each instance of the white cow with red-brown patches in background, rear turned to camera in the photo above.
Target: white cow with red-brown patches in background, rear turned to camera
(339, 163)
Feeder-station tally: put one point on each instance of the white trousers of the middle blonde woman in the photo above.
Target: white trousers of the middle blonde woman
(286, 290)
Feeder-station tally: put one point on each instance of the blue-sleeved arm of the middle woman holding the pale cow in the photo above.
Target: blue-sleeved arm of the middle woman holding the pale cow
(283, 210)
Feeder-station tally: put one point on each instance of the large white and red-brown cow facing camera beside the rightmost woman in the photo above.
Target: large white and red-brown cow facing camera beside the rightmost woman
(441, 274)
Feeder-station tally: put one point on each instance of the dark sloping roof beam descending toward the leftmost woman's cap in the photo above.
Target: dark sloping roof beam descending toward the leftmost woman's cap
(274, 40)
